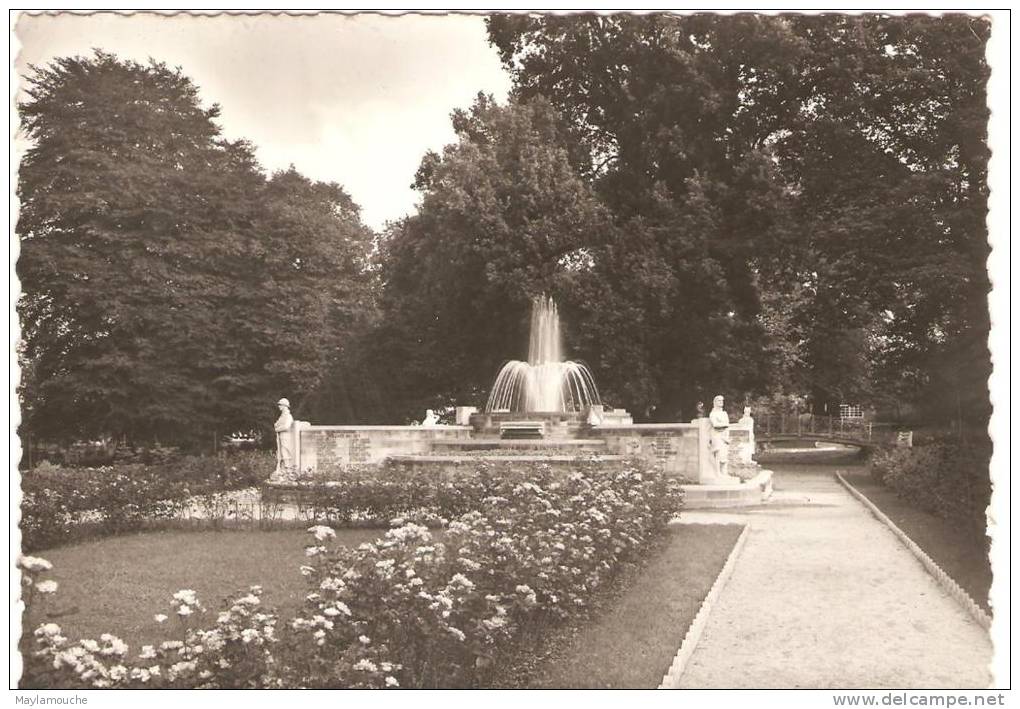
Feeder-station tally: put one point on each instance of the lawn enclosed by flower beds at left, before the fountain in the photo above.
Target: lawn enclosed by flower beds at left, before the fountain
(118, 585)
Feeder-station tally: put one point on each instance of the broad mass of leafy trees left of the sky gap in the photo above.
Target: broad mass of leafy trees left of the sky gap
(168, 288)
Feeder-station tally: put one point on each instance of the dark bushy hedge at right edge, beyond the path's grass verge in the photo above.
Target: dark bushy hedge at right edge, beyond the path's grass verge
(946, 477)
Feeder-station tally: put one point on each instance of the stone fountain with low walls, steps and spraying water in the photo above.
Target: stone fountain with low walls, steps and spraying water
(544, 410)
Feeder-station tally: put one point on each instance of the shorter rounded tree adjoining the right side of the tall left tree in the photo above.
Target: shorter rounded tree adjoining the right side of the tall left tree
(313, 339)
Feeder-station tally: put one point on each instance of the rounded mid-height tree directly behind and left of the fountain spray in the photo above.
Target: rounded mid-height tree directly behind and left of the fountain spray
(504, 217)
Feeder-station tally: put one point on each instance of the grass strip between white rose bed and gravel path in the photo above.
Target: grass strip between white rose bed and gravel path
(631, 639)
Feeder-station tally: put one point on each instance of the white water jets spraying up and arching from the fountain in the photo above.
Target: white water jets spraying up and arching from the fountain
(545, 383)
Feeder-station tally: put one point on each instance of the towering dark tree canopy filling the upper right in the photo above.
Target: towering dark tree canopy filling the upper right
(834, 165)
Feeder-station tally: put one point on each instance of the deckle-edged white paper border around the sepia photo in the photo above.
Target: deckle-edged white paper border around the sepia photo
(999, 90)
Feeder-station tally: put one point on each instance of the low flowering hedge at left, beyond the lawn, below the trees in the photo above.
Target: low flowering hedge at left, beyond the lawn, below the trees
(61, 505)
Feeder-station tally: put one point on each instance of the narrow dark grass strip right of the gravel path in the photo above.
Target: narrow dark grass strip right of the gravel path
(963, 555)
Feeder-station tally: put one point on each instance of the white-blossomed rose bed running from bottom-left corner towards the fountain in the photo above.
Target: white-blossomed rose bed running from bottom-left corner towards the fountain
(410, 610)
